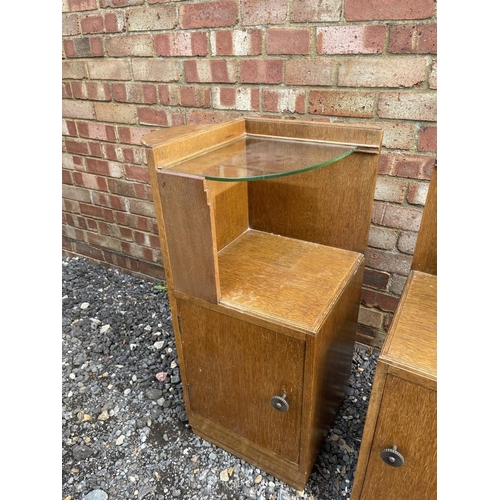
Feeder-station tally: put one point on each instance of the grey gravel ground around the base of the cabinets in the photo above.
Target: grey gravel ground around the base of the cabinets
(125, 433)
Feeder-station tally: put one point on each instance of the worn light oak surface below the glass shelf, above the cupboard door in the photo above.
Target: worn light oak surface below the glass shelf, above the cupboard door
(292, 281)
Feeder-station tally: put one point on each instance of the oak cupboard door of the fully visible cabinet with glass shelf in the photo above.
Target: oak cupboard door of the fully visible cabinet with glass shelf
(233, 368)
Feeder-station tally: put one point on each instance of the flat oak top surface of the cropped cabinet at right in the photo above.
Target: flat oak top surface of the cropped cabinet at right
(411, 343)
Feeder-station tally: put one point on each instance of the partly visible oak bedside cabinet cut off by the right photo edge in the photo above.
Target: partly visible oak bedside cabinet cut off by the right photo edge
(398, 455)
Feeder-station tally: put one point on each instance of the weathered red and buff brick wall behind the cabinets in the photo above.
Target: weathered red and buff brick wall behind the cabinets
(132, 66)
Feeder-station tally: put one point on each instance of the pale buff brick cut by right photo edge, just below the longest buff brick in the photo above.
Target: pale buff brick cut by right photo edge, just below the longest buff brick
(420, 106)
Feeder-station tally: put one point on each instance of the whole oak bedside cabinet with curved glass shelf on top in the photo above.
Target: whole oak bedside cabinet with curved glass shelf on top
(263, 225)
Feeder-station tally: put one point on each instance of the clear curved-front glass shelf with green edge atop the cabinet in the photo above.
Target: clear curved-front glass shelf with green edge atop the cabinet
(254, 157)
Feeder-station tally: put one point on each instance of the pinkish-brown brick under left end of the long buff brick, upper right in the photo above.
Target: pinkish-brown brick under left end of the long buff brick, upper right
(342, 103)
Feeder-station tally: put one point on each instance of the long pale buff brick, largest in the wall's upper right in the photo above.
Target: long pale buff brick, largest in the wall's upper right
(377, 72)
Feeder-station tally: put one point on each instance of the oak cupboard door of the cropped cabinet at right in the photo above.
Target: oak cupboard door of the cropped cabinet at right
(407, 419)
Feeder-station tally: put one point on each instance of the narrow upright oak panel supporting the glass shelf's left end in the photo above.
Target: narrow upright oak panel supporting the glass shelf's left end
(190, 228)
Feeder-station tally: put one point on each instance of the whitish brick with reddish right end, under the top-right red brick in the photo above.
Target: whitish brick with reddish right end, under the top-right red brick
(369, 39)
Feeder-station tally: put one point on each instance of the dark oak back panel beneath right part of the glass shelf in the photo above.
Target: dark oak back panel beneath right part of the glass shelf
(331, 205)
